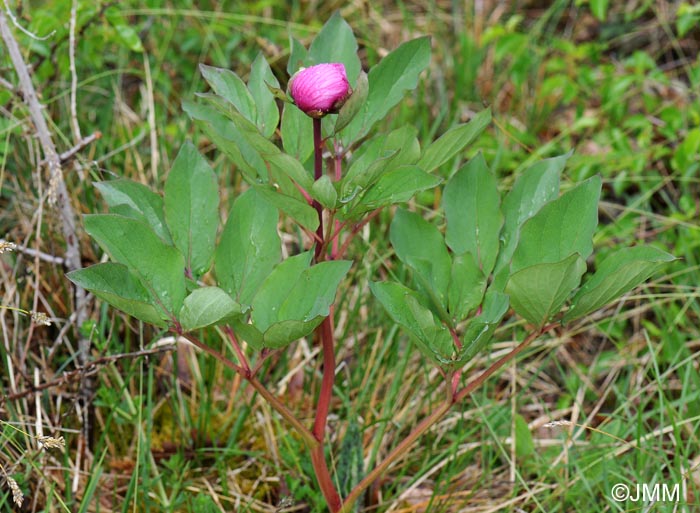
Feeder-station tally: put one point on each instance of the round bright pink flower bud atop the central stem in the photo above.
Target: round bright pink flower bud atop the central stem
(321, 89)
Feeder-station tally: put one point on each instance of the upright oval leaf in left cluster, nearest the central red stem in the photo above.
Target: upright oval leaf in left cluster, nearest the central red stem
(249, 248)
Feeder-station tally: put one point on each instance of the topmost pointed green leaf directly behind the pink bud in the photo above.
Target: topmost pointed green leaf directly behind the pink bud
(336, 43)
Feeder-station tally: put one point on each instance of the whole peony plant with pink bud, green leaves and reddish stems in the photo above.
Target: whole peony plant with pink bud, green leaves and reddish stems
(522, 252)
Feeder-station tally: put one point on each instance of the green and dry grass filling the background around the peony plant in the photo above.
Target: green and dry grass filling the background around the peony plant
(178, 432)
